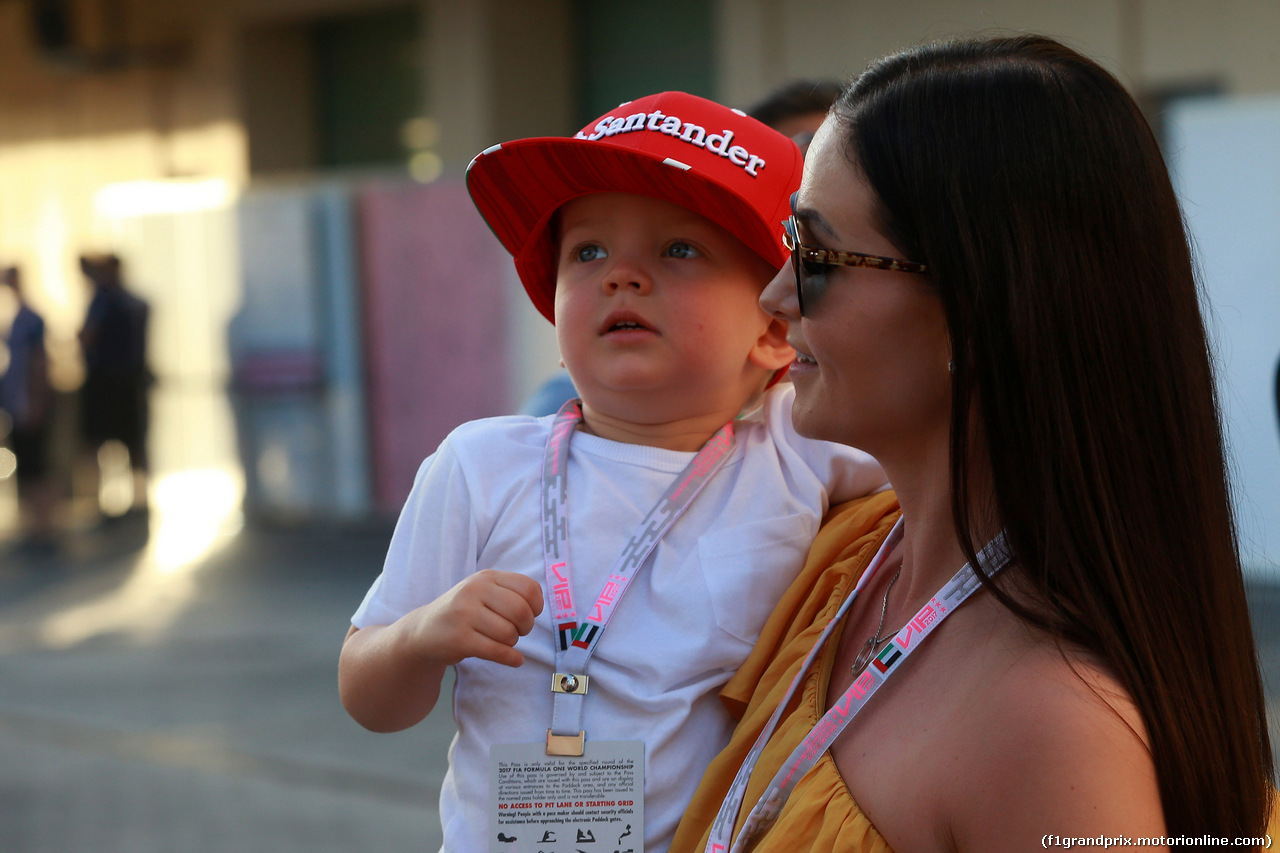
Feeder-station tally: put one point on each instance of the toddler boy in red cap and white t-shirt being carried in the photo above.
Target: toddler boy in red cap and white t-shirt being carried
(679, 480)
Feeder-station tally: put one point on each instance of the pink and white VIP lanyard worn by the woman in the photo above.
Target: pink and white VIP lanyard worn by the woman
(993, 558)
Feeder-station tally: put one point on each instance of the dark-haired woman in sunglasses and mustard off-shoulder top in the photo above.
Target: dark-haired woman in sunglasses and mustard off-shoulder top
(993, 293)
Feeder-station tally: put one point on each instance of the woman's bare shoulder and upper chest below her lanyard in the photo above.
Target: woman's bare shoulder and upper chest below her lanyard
(998, 737)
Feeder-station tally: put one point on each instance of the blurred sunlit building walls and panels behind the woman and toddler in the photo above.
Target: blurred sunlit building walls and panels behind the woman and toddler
(284, 180)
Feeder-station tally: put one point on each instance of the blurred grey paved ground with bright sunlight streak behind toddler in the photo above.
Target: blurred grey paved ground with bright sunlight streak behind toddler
(161, 704)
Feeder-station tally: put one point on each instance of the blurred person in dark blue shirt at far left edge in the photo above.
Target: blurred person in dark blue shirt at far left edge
(25, 398)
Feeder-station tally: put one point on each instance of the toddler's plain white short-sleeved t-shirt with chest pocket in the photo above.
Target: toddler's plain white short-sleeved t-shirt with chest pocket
(688, 621)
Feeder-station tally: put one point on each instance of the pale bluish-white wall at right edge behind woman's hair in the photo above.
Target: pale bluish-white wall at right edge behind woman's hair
(1226, 157)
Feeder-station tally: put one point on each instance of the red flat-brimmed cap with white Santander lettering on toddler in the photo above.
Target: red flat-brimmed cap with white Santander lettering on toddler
(715, 161)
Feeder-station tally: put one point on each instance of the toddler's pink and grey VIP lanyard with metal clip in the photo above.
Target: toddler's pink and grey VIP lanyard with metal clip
(577, 640)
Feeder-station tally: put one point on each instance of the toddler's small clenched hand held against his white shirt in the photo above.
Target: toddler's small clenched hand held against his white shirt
(482, 617)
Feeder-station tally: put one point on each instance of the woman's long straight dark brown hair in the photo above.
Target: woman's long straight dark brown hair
(1028, 181)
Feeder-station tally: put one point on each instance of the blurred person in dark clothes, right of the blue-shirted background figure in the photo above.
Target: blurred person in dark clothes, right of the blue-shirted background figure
(115, 405)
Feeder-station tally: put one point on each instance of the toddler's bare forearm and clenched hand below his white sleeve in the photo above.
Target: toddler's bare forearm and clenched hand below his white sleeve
(390, 676)
